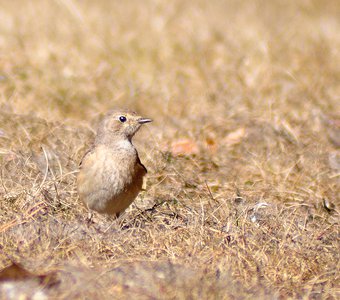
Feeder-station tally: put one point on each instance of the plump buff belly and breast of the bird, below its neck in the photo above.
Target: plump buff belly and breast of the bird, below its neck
(109, 185)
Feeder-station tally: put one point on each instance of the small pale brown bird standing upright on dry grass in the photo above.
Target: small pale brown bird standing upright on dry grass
(111, 173)
